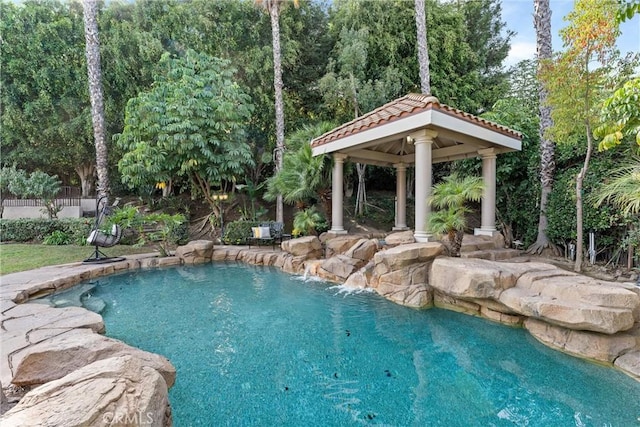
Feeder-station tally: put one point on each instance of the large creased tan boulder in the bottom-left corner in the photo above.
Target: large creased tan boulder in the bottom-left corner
(116, 391)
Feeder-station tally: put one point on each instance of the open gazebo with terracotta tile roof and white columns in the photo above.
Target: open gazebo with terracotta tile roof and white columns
(416, 130)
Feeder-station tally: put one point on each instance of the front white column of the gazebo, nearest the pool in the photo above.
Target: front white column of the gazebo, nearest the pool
(422, 141)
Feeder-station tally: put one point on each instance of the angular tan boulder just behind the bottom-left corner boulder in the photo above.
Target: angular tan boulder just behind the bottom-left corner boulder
(60, 355)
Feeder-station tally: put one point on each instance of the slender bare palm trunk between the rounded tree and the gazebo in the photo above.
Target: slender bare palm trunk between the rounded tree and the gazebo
(274, 13)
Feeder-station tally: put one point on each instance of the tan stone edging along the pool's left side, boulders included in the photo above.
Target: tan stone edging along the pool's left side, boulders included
(60, 367)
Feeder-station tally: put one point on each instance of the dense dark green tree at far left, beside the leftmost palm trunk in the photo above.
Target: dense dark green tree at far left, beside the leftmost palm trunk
(45, 115)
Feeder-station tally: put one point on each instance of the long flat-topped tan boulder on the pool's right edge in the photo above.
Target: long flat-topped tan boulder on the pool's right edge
(537, 290)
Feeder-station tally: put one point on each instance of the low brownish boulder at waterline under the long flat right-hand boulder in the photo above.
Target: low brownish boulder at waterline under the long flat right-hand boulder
(592, 345)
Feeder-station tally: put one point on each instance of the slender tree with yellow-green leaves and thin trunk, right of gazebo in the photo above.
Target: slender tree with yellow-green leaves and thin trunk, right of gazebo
(575, 85)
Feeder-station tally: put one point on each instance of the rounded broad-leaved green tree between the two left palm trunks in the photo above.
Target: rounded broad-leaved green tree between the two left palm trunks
(190, 124)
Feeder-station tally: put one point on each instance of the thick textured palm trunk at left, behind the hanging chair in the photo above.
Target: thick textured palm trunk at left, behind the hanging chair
(90, 14)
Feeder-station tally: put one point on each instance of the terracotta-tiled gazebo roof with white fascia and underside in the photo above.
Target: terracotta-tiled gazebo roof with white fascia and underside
(384, 135)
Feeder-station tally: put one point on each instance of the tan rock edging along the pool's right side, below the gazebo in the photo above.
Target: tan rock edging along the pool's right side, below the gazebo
(585, 317)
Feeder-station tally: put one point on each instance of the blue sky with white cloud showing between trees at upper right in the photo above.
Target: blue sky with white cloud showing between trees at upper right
(518, 15)
